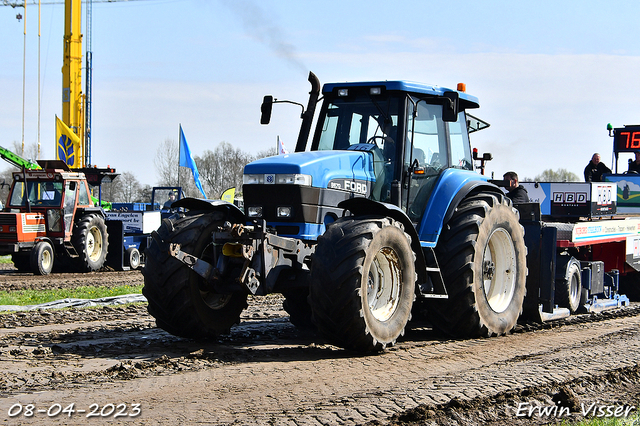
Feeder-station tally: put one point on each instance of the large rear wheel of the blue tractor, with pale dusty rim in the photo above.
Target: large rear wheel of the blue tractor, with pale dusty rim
(483, 262)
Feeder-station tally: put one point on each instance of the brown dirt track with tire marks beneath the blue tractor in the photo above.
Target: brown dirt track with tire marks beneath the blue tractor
(266, 372)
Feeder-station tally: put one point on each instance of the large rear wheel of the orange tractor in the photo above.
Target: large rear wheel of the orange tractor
(91, 241)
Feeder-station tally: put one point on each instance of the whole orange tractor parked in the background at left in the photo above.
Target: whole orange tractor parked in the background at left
(50, 217)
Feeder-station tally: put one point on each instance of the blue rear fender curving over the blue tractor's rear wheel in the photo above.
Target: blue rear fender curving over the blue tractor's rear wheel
(452, 187)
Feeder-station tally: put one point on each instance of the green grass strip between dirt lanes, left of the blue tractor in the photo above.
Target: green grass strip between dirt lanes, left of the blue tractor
(36, 297)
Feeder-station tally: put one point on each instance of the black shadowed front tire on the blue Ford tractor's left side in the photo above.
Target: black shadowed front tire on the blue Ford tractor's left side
(179, 299)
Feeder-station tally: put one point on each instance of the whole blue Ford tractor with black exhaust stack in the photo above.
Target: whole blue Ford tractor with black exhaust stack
(381, 217)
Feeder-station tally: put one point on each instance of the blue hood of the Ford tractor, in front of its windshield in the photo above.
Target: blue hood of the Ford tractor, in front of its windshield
(327, 169)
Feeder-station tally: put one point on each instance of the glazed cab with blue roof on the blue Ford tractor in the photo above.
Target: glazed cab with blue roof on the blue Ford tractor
(415, 132)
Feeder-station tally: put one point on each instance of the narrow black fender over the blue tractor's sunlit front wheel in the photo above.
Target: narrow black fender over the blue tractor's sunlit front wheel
(360, 206)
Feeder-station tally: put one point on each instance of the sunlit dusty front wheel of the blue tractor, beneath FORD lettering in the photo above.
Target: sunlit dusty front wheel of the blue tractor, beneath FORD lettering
(363, 282)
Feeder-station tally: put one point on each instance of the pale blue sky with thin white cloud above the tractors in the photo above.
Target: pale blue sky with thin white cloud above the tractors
(549, 75)
